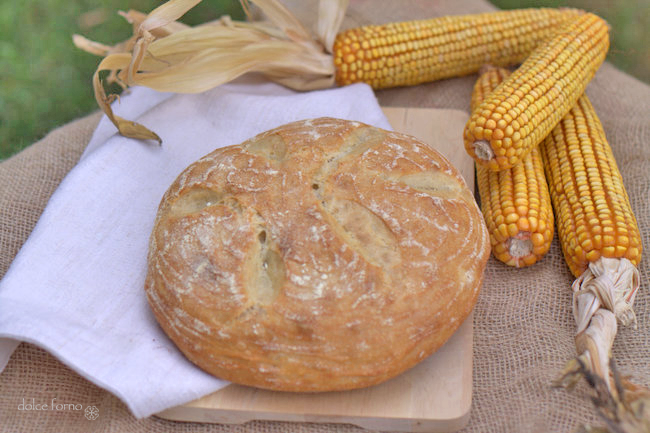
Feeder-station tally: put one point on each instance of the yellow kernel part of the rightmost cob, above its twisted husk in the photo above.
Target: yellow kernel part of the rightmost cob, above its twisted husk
(599, 222)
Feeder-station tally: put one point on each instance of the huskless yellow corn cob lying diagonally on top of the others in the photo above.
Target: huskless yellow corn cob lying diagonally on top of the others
(528, 105)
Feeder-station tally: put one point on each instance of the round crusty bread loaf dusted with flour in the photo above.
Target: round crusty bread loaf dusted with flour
(321, 255)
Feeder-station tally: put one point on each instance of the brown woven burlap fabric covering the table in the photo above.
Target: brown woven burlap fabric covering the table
(523, 326)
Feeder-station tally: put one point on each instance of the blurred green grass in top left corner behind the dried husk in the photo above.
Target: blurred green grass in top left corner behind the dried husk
(45, 81)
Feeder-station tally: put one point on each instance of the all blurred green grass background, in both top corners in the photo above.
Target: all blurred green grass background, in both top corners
(45, 80)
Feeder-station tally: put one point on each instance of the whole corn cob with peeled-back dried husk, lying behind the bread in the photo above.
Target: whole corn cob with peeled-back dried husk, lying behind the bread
(167, 56)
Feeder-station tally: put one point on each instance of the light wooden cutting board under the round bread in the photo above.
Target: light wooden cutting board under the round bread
(434, 396)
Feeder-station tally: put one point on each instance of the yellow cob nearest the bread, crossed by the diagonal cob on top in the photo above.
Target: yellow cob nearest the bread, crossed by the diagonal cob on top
(515, 202)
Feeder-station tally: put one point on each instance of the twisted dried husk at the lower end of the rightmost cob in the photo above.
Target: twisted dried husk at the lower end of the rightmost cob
(602, 296)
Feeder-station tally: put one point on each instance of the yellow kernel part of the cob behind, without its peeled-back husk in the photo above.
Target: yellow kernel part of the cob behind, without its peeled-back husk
(414, 52)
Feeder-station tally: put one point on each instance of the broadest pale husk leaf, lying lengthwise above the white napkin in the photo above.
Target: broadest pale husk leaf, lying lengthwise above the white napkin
(201, 58)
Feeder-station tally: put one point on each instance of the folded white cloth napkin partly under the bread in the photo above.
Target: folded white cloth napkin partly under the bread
(76, 286)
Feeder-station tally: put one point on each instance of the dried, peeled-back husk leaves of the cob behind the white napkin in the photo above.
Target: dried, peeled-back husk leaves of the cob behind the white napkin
(169, 56)
